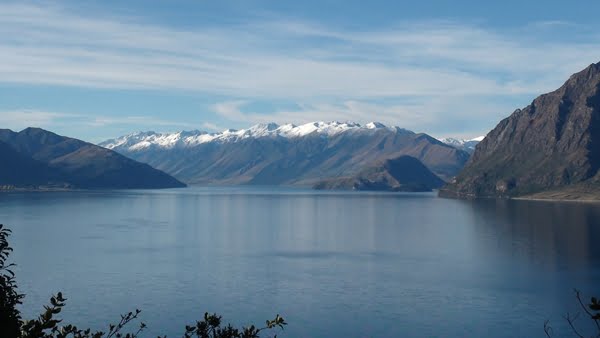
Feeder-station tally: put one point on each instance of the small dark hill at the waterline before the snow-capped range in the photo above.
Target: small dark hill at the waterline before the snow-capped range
(404, 173)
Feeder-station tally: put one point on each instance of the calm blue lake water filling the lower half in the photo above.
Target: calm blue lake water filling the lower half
(333, 264)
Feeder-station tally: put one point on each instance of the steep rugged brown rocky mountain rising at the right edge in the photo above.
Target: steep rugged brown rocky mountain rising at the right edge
(550, 148)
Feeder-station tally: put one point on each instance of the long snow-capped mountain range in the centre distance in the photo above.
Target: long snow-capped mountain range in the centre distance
(274, 154)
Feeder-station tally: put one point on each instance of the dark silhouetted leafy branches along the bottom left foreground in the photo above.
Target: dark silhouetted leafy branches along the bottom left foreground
(47, 325)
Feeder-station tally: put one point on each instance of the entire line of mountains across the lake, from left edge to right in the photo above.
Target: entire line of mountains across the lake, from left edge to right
(549, 149)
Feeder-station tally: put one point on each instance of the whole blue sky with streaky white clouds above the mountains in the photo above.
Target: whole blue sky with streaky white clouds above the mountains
(100, 69)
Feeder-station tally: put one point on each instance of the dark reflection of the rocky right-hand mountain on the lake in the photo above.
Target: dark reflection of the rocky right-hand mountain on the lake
(563, 235)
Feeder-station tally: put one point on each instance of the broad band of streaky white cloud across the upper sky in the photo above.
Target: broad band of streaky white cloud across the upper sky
(51, 45)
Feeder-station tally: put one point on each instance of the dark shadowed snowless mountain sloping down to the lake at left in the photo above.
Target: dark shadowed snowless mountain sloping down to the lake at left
(36, 157)
